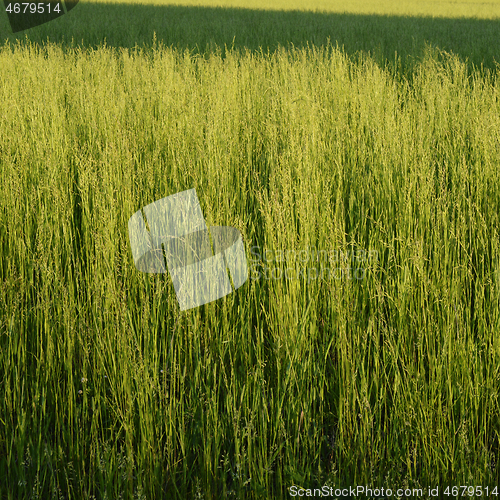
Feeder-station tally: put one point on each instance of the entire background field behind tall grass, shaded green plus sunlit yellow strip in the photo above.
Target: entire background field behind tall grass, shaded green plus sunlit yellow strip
(389, 30)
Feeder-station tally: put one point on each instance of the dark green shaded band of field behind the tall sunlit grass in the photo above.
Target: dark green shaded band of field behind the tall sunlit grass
(202, 28)
